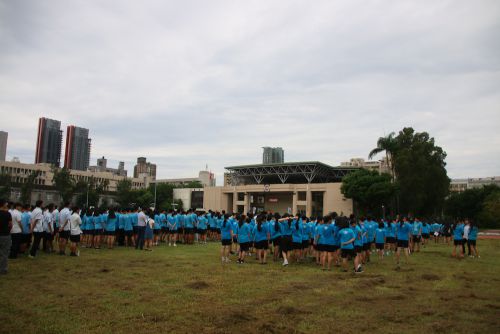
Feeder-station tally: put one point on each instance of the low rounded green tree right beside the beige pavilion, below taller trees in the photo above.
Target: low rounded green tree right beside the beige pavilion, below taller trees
(370, 190)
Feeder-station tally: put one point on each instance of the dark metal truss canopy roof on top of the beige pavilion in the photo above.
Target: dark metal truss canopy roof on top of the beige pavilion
(290, 172)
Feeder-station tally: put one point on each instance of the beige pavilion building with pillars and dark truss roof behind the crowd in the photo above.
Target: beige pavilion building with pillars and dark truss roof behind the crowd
(309, 188)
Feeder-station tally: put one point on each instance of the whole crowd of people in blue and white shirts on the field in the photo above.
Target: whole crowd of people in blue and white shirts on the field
(329, 240)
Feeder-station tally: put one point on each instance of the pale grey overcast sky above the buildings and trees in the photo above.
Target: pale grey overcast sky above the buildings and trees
(190, 83)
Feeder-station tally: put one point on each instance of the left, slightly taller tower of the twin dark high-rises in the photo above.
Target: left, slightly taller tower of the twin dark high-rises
(49, 142)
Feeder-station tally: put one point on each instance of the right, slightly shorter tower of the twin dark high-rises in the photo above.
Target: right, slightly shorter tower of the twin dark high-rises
(77, 154)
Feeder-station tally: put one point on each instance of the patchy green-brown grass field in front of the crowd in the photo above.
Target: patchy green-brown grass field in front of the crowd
(187, 290)
